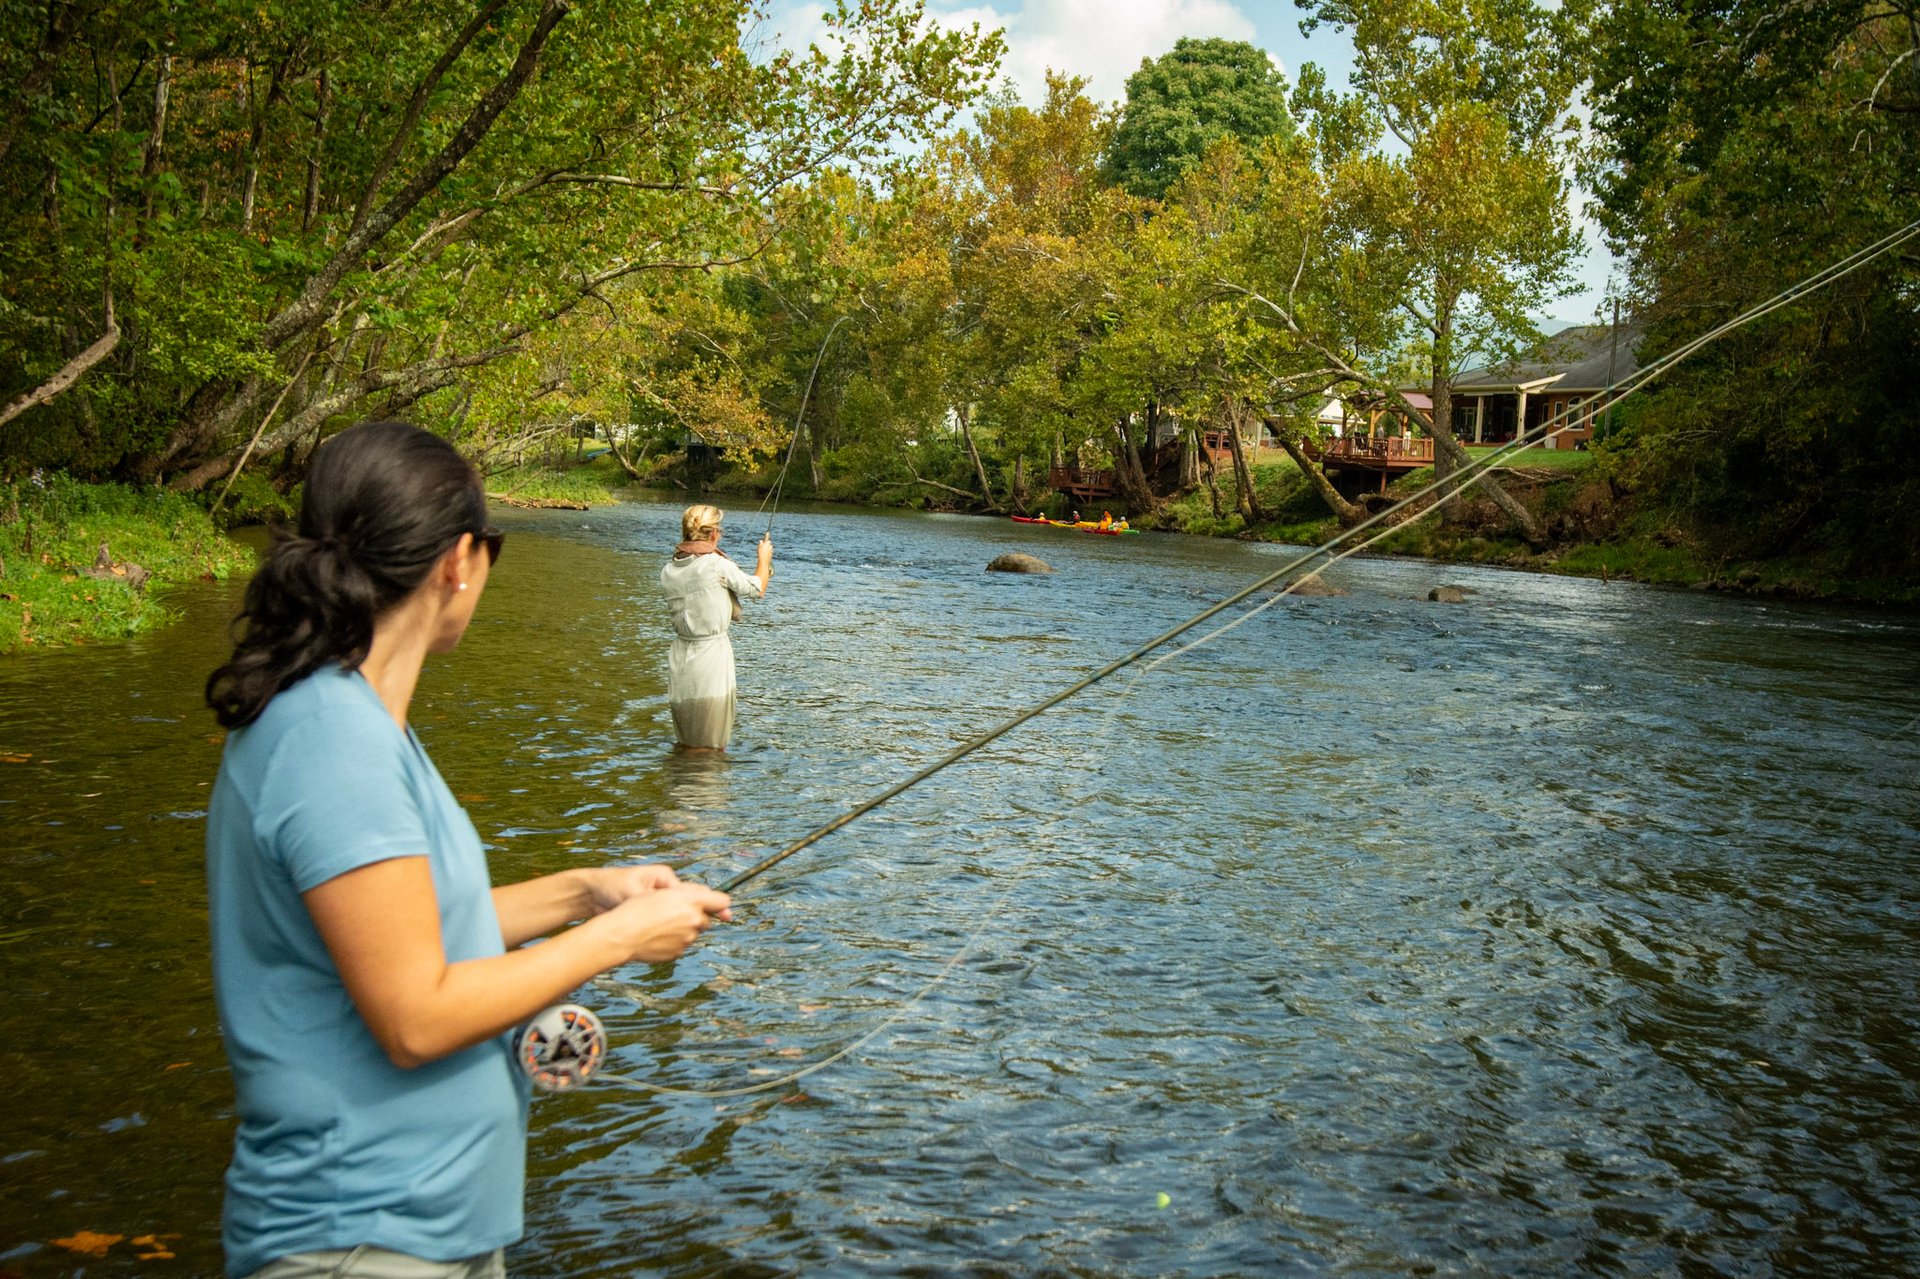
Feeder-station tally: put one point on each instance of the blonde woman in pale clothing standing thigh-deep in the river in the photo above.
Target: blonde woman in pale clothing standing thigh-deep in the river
(704, 592)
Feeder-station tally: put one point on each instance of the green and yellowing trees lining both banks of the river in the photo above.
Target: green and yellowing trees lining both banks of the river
(665, 237)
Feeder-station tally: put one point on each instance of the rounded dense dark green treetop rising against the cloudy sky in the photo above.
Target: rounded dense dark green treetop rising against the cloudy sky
(1184, 103)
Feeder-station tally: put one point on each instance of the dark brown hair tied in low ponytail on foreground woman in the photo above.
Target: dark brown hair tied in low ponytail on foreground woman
(383, 504)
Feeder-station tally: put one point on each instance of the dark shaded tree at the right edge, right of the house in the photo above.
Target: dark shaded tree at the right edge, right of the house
(1739, 155)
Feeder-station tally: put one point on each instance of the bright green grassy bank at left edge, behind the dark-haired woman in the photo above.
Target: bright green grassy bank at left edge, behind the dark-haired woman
(53, 533)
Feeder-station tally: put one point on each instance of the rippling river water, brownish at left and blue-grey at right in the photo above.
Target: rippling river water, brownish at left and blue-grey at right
(1572, 930)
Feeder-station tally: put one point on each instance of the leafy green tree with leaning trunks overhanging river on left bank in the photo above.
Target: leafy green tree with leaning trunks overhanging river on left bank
(324, 205)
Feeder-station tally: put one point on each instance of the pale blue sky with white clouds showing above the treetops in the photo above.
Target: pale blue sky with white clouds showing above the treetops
(1107, 39)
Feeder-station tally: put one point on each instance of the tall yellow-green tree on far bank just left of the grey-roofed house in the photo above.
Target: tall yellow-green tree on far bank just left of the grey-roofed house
(1468, 229)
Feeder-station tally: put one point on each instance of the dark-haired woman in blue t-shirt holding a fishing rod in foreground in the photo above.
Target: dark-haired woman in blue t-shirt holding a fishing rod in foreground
(368, 975)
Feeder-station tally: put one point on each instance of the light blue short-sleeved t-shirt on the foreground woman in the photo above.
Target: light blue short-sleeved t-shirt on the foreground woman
(337, 1146)
